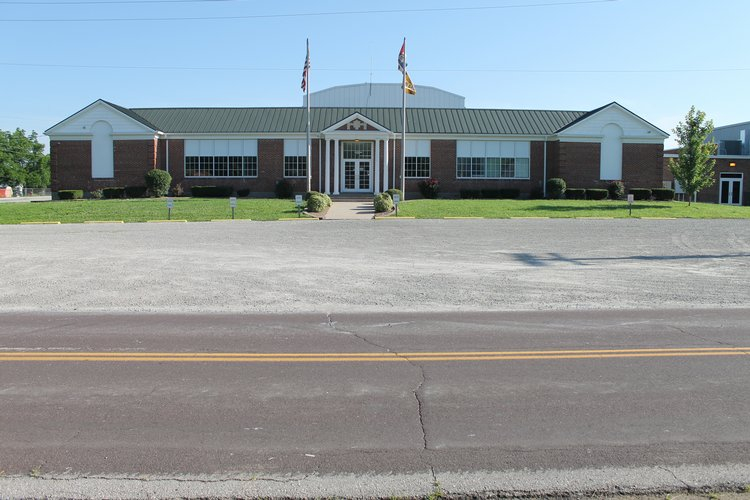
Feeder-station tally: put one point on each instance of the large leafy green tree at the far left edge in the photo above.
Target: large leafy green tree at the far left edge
(22, 160)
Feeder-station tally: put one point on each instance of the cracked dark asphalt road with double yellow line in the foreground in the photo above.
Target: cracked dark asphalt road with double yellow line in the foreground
(647, 398)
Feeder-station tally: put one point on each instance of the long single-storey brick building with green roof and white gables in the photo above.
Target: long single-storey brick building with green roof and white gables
(356, 149)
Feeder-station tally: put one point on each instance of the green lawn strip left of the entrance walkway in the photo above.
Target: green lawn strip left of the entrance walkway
(141, 210)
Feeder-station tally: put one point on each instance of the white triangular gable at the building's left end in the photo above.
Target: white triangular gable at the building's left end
(80, 125)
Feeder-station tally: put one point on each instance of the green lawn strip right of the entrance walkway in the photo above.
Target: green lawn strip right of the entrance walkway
(498, 209)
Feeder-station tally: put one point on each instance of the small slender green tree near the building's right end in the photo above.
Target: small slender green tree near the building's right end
(694, 168)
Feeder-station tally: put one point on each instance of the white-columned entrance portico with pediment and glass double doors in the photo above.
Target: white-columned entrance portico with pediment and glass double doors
(355, 145)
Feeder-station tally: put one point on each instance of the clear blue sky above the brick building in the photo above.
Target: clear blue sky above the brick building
(655, 57)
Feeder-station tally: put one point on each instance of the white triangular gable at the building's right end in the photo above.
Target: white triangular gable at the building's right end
(592, 128)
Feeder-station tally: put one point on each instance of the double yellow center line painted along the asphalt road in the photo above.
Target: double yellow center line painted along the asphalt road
(351, 357)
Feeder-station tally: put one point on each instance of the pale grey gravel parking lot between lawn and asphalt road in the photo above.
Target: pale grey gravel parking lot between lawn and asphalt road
(374, 266)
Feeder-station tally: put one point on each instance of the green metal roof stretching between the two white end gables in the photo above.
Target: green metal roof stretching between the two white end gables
(294, 120)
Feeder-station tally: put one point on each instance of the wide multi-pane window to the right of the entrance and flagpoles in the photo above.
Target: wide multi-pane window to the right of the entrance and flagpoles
(492, 160)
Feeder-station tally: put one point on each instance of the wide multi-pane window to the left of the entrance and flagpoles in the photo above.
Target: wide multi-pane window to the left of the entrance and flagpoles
(221, 158)
